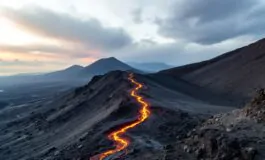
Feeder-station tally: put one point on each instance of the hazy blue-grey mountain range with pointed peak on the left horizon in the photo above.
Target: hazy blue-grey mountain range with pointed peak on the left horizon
(73, 73)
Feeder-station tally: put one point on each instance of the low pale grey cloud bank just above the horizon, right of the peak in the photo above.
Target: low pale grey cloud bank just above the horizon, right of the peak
(179, 53)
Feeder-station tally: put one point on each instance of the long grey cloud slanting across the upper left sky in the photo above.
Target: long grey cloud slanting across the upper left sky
(89, 32)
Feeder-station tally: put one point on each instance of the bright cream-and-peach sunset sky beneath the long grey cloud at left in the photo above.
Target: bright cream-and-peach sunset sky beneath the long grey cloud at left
(19, 51)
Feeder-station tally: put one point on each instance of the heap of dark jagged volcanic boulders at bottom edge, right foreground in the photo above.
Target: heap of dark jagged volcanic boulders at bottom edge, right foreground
(217, 145)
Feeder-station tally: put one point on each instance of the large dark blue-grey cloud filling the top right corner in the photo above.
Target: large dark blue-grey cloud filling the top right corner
(213, 21)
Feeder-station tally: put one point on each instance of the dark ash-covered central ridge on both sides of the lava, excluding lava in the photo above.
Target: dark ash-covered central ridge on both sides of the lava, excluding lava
(74, 124)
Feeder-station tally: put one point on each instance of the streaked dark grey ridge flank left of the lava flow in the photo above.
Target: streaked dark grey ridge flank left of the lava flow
(61, 121)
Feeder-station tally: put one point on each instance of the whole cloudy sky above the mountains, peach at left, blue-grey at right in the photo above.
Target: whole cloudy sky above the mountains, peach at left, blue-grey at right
(46, 35)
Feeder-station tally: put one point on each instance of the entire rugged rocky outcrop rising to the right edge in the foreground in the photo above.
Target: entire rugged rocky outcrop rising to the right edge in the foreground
(237, 135)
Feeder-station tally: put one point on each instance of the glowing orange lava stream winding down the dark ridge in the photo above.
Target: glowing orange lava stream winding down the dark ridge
(115, 136)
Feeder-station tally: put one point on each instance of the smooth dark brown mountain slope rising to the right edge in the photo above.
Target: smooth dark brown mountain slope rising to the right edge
(236, 74)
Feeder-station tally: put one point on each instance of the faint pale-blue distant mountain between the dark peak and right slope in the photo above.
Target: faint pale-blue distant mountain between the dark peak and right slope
(150, 67)
